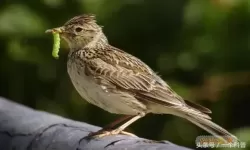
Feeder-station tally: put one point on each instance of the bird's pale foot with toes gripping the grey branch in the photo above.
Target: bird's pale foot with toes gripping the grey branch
(103, 133)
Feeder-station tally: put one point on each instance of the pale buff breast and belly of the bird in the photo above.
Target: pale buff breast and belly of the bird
(91, 91)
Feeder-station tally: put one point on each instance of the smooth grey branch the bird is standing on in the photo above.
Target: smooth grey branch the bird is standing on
(23, 128)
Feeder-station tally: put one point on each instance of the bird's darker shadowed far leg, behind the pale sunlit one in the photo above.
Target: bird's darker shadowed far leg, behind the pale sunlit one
(111, 125)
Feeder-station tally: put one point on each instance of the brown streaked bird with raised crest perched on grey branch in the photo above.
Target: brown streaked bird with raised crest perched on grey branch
(120, 83)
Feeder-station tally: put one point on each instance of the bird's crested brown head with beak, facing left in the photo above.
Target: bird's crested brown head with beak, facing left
(81, 31)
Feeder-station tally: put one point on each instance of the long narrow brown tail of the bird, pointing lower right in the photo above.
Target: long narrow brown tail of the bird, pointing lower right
(206, 124)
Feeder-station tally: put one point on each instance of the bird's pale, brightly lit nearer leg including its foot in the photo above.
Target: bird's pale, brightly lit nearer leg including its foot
(120, 129)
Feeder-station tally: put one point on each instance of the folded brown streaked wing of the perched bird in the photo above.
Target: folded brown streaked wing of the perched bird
(128, 73)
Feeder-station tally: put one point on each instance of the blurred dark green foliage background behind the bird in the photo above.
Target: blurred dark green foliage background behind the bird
(200, 47)
